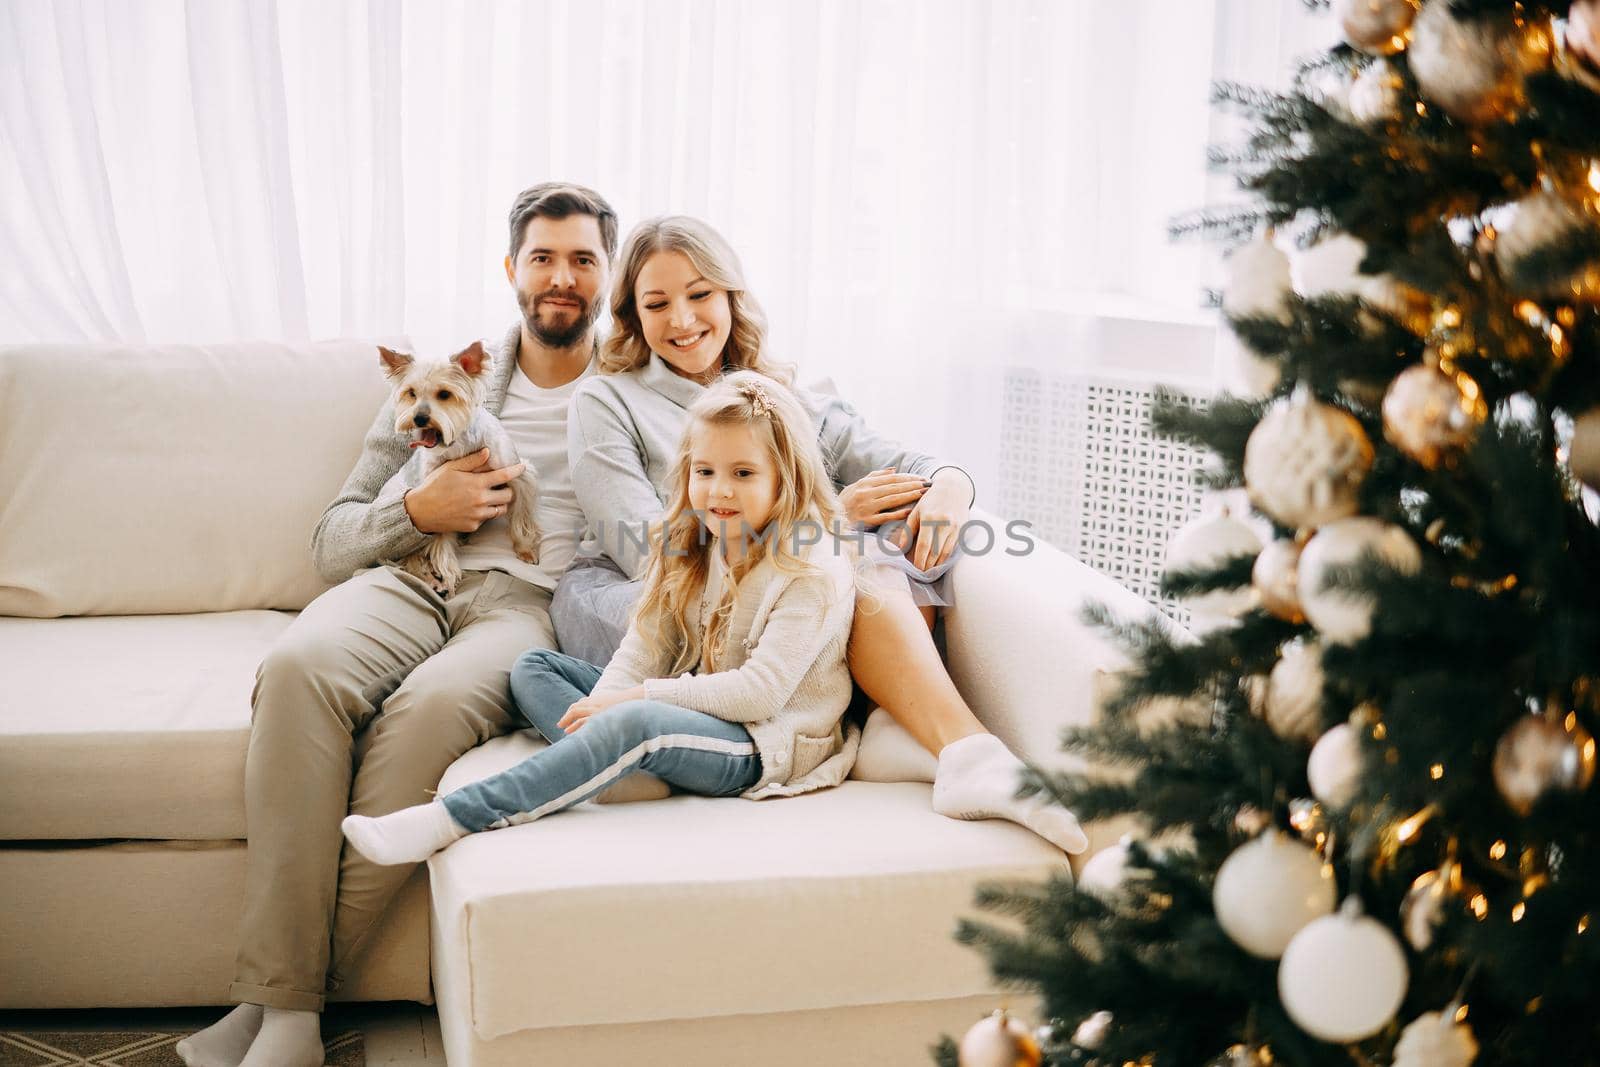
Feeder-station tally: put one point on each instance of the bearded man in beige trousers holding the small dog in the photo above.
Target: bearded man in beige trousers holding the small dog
(383, 671)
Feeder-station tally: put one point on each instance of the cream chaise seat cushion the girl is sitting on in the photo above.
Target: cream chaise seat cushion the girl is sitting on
(694, 908)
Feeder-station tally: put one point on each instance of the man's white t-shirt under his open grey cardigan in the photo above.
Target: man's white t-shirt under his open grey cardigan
(537, 422)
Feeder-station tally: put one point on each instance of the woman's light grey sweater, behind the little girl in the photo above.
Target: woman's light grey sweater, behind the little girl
(623, 434)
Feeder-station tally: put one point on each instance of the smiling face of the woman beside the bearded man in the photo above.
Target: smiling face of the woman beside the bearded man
(686, 319)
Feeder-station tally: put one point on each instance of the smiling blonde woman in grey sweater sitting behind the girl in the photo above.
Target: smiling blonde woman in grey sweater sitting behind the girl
(681, 318)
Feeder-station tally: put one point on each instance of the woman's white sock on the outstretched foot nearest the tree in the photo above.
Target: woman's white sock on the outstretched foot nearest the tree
(978, 780)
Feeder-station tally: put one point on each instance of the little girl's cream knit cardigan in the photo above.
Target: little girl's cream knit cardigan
(786, 679)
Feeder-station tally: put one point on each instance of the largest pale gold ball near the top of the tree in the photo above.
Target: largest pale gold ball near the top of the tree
(1474, 68)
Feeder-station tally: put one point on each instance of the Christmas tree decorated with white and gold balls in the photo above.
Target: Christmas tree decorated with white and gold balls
(1369, 834)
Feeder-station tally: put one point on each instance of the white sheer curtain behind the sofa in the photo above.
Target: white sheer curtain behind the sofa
(924, 191)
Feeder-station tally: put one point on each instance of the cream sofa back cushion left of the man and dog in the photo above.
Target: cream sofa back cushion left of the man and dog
(190, 481)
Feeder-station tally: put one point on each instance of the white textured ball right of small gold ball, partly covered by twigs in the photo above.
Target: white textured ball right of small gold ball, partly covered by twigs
(1345, 615)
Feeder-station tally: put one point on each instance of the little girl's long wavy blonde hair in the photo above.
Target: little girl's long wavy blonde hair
(681, 554)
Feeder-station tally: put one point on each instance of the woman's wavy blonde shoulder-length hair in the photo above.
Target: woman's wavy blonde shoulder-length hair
(718, 263)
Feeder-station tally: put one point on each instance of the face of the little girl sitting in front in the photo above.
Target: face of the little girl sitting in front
(734, 484)
